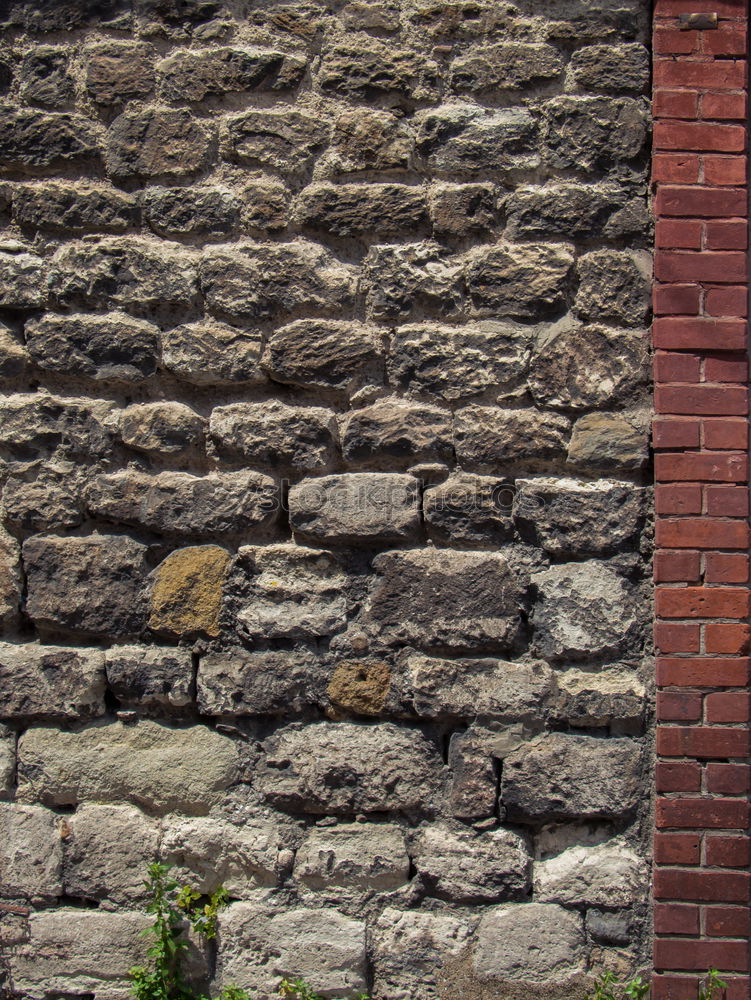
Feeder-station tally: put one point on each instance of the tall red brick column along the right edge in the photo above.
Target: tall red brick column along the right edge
(701, 884)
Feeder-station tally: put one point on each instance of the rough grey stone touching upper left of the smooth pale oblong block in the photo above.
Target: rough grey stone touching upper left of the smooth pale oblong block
(274, 434)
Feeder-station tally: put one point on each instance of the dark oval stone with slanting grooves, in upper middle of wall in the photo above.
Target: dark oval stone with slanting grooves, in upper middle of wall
(324, 354)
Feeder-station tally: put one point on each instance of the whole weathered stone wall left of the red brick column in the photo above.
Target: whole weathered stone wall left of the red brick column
(324, 437)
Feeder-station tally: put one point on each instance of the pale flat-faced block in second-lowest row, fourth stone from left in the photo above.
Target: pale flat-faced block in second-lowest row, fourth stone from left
(353, 857)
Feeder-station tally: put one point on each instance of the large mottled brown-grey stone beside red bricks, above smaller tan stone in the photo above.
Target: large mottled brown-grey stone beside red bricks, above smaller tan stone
(580, 367)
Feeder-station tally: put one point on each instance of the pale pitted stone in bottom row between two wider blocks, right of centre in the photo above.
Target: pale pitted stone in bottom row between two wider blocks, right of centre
(410, 949)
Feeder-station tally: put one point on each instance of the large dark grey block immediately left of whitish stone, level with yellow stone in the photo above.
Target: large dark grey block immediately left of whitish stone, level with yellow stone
(441, 598)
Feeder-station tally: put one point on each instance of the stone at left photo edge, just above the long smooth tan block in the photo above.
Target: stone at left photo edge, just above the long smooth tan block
(51, 682)
